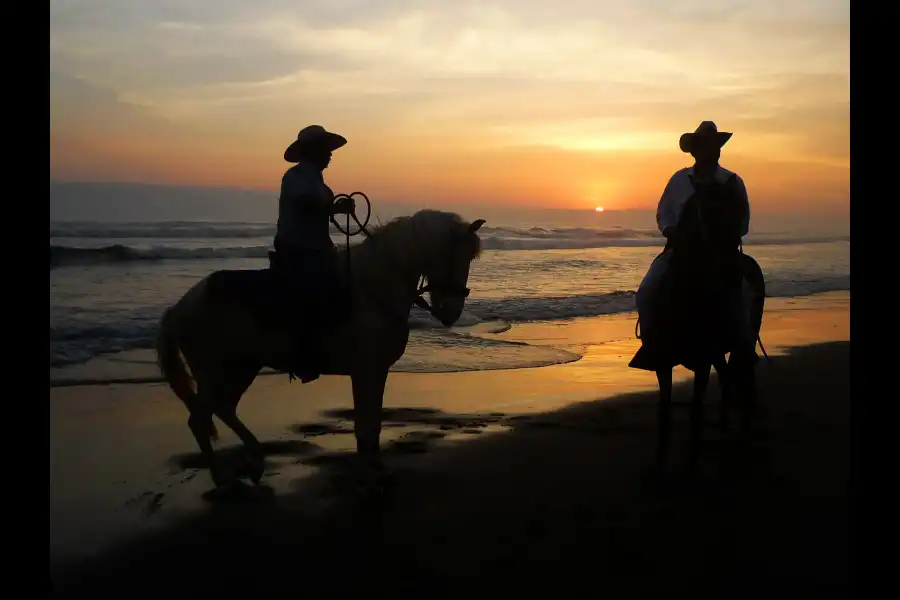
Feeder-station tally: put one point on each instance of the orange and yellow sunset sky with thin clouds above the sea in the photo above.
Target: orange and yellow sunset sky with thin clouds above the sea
(569, 103)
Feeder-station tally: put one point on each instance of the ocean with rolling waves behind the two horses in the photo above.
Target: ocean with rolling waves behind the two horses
(110, 282)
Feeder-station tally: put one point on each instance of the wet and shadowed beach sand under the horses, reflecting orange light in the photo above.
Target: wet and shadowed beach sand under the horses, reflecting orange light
(507, 479)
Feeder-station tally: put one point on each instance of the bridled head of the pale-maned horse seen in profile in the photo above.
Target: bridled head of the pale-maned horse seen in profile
(449, 245)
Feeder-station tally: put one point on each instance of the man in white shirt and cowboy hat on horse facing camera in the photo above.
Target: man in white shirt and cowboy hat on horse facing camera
(705, 145)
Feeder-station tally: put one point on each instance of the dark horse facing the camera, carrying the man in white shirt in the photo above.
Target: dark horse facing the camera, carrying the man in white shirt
(695, 315)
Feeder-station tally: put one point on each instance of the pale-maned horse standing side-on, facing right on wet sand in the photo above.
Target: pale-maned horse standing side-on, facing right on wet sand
(220, 331)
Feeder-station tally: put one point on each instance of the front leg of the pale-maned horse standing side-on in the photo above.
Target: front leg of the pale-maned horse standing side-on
(368, 398)
